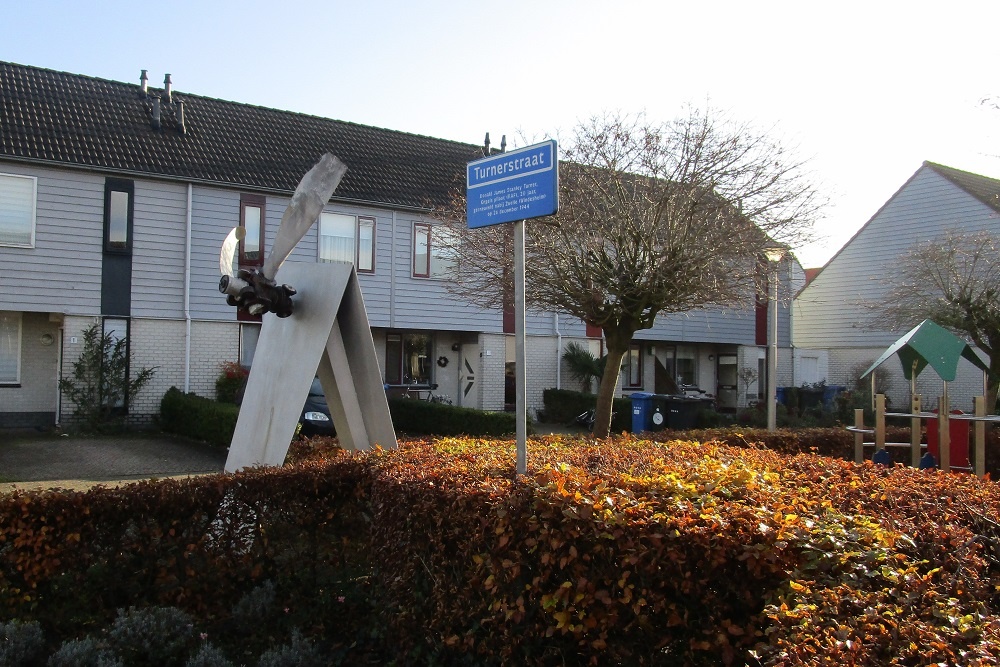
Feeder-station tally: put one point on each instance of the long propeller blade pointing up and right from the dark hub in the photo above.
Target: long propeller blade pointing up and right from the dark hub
(311, 195)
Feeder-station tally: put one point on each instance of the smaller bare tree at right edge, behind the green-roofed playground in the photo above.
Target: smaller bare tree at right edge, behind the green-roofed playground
(953, 280)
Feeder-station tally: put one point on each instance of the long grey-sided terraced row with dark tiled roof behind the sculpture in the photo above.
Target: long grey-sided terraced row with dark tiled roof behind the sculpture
(116, 197)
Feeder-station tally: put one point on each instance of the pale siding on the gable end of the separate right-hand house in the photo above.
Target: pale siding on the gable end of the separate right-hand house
(829, 312)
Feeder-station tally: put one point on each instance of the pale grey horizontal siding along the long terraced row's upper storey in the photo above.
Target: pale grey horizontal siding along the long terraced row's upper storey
(62, 273)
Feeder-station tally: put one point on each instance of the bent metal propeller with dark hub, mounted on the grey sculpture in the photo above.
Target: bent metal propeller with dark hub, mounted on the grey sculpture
(254, 291)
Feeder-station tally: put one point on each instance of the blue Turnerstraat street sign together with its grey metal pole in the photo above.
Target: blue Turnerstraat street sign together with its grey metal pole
(514, 187)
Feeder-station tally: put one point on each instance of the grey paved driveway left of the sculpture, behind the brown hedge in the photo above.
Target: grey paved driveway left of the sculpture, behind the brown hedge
(31, 460)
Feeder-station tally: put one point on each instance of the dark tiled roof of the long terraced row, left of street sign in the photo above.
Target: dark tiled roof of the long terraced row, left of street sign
(71, 119)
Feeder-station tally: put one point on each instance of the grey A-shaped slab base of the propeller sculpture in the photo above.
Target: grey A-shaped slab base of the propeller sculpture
(327, 336)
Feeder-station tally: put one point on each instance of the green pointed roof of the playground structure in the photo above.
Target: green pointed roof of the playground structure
(930, 344)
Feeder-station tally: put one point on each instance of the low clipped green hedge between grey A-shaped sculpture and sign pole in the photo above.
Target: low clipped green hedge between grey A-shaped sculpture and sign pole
(425, 418)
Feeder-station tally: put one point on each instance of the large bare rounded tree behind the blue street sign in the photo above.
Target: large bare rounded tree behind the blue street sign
(653, 218)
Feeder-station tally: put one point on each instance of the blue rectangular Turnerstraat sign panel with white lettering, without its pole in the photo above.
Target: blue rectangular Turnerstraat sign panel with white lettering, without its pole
(518, 185)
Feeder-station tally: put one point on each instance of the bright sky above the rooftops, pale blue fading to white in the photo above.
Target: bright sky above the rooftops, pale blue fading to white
(866, 90)
